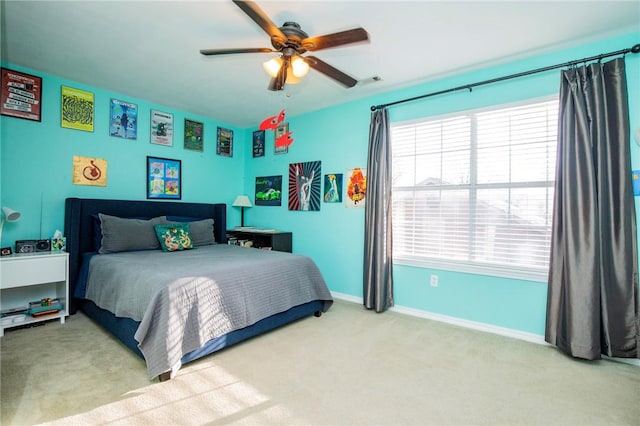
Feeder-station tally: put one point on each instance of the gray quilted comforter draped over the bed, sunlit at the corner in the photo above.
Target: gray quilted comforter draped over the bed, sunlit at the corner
(183, 299)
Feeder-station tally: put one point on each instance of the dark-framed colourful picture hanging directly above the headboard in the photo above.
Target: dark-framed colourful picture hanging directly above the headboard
(164, 178)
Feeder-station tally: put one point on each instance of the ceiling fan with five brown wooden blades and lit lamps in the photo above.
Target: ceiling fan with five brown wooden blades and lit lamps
(291, 41)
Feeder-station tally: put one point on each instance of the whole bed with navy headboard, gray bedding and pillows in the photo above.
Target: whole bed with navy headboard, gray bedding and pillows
(185, 304)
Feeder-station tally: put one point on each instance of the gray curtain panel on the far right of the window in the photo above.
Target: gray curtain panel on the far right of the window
(592, 305)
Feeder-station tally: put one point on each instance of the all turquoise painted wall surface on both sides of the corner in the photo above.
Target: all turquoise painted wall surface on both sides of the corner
(36, 163)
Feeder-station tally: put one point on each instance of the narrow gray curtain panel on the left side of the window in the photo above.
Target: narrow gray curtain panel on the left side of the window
(378, 266)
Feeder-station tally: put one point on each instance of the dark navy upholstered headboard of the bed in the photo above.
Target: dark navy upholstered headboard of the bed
(79, 221)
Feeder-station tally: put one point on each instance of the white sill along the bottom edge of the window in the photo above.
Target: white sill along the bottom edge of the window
(527, 274)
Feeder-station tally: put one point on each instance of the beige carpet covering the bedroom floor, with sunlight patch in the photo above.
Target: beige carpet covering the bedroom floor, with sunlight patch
(348, 367)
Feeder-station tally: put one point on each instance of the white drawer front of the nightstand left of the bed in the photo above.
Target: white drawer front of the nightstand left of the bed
(30, 270)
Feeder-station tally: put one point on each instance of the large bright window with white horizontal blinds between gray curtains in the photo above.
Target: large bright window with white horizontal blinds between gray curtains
(474, 191)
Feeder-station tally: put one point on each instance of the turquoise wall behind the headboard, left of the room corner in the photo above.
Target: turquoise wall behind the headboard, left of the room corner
(37, 160)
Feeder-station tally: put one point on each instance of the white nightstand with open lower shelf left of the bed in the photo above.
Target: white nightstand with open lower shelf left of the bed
(30, 277)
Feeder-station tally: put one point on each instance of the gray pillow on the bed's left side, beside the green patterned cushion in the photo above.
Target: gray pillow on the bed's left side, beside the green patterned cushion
(122, 234)
